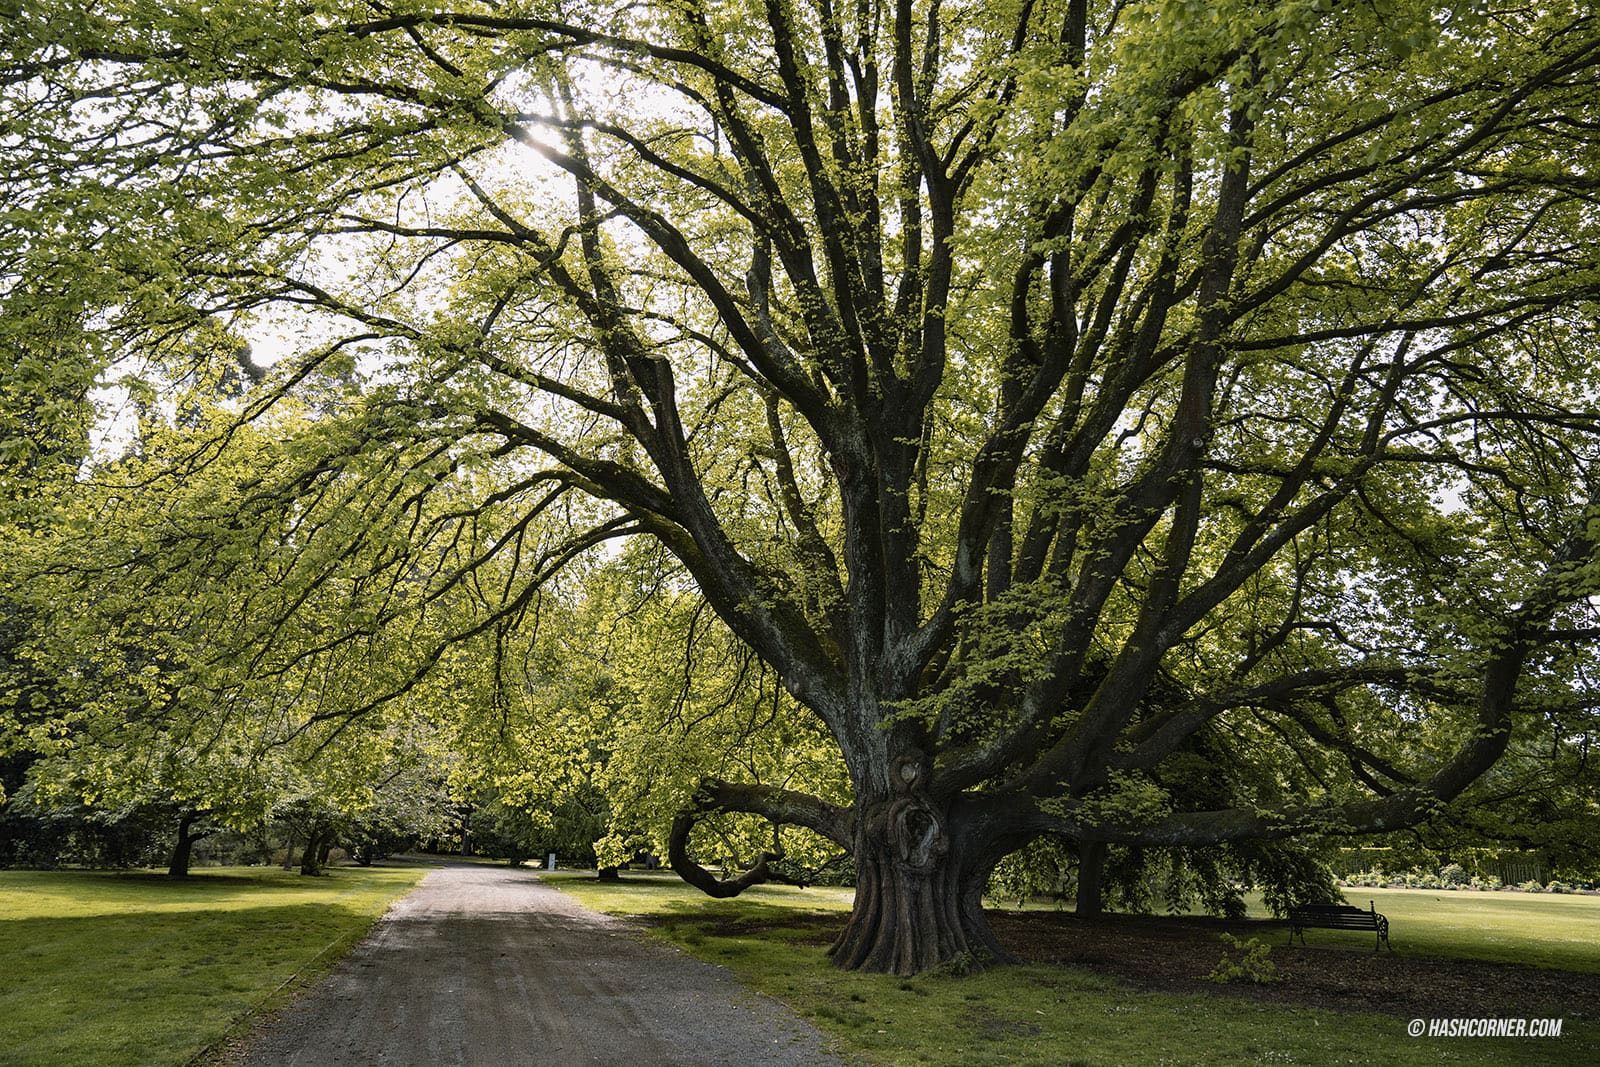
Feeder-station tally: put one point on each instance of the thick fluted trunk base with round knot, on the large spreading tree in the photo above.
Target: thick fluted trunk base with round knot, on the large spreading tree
(919, 895)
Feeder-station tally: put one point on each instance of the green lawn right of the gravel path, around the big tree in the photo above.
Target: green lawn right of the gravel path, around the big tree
(1054, 1017)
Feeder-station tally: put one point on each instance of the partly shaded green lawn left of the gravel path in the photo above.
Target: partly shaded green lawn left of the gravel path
(138, 970)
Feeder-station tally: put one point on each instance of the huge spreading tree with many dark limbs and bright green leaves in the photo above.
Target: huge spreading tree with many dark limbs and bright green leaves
(1062, 396)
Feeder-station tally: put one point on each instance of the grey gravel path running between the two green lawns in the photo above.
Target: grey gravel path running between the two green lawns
(484, 965)
